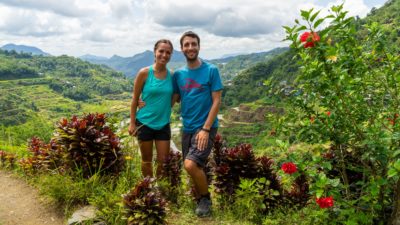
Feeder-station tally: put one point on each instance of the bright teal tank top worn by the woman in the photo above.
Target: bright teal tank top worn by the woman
(157, 95)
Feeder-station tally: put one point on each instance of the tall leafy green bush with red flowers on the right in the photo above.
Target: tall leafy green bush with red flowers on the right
(346, 93)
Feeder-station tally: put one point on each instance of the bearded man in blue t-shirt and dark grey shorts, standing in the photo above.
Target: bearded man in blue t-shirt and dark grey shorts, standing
(199, 87)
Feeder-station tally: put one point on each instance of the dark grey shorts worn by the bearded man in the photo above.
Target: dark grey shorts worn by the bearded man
(190, 150)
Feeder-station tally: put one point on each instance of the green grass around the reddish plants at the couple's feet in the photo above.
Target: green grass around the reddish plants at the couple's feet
(70, 192)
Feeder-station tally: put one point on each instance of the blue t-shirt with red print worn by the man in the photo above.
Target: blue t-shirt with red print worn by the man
(195, 87)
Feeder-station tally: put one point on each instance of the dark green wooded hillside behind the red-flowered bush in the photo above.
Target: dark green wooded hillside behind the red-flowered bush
(281, 70)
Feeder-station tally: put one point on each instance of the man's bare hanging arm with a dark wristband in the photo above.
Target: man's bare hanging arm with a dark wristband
(202, 136)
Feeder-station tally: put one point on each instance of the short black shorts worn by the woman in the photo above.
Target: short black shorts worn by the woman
(146, 133)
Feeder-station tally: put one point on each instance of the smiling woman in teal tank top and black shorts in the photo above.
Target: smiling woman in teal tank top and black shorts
(151, 123)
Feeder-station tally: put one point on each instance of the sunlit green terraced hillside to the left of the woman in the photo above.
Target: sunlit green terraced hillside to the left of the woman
(51, 87)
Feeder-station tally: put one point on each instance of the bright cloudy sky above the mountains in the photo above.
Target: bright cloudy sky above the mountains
(128, 27)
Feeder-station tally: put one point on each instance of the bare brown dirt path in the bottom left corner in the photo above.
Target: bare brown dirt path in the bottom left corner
(20, 204)
